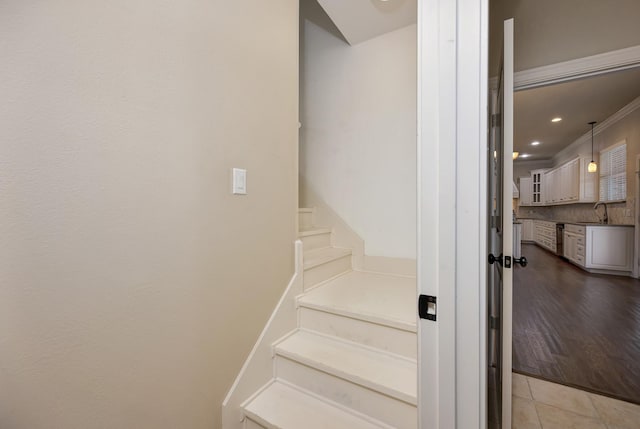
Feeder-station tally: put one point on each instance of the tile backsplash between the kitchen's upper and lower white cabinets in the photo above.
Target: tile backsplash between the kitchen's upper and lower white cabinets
(619, 213)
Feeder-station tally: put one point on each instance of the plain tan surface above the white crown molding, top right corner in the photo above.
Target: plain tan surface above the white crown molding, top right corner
(553, 31)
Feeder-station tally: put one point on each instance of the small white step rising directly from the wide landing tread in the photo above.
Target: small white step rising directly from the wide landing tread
(323, 264)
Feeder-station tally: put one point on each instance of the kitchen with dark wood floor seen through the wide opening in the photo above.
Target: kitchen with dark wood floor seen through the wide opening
(574, 324)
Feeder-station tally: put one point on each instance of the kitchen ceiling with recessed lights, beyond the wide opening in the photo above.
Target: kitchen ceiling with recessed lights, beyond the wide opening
(577, 102)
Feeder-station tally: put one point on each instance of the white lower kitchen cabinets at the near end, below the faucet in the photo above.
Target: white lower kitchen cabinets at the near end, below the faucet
(600, 248)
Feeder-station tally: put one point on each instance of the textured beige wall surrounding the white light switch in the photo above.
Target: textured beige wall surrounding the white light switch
(132, 284)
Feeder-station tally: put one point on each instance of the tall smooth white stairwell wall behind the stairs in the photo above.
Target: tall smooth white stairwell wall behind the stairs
(358, 136)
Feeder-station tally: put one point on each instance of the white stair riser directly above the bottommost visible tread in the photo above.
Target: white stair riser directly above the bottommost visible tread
(389, 410)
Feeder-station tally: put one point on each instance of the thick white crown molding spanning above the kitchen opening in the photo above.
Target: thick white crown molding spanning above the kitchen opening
(621, 59)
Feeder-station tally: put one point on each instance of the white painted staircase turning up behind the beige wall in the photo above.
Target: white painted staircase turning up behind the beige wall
(351, 362)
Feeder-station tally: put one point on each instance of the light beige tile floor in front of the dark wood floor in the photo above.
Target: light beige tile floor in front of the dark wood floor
(539, 404)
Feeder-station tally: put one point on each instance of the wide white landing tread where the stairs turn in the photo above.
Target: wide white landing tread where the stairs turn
(379, 298)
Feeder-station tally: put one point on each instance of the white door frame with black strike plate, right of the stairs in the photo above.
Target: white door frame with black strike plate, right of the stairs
(452, 151)
